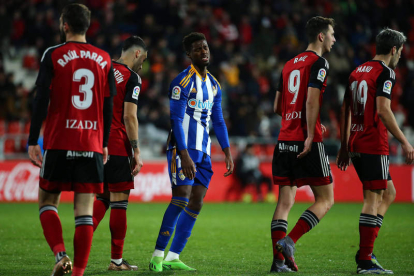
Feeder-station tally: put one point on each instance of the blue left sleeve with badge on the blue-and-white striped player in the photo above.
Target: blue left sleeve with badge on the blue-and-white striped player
(178, 96)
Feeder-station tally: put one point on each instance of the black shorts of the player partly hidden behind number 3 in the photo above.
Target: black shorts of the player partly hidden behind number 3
(117, 173)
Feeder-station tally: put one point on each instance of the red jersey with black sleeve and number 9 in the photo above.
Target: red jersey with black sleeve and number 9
(305, 70)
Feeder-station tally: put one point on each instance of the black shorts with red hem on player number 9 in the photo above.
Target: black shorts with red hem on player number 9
(313, 169)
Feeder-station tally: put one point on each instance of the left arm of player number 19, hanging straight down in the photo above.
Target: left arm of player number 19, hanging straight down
(342, 159)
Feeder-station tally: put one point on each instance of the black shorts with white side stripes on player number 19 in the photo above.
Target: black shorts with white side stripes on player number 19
(372, 170)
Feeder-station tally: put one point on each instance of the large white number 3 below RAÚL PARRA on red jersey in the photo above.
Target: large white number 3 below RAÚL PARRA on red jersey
(86, 88)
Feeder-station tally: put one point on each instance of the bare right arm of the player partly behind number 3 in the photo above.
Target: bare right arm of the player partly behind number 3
(131, 126)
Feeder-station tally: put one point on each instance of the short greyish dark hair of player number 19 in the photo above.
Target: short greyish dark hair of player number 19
(387, 39)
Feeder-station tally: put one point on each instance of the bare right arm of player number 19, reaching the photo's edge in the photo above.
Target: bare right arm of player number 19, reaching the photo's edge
(387, 117)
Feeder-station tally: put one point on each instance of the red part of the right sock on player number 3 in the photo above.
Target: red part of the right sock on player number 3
(82, 244)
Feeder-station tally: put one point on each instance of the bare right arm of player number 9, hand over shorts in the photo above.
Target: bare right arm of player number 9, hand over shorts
(312, 112)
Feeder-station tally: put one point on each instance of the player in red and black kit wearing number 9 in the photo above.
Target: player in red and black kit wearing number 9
(299, 157)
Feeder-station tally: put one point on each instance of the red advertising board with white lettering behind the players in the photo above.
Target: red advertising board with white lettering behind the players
(19, 182)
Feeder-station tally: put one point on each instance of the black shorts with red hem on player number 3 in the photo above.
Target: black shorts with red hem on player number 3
(67, 170)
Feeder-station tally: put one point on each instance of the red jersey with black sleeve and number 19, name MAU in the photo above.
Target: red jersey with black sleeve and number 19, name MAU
(367, 82)
